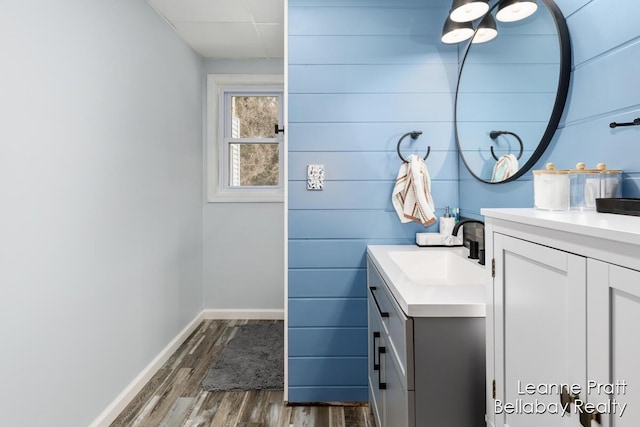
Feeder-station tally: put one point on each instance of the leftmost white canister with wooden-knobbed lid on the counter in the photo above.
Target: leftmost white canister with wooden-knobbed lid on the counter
(551, 188)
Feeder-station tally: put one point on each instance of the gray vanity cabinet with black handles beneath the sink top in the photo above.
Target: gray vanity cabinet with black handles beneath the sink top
(423, 371)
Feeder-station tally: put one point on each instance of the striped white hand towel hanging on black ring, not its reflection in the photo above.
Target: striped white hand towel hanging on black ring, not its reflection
(411, 195)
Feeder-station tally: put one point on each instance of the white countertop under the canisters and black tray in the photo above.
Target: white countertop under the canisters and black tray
(618, 228)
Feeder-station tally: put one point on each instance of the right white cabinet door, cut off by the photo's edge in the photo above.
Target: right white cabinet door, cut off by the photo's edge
(613, 344)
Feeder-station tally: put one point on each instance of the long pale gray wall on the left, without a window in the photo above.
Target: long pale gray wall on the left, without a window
(100, 202)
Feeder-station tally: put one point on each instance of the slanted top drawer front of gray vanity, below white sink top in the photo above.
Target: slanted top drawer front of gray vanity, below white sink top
(397, 327)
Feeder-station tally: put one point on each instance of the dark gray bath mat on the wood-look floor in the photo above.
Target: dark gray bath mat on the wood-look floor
(252, 360)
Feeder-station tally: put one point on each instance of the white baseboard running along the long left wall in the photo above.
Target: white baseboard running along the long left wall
(129, 393)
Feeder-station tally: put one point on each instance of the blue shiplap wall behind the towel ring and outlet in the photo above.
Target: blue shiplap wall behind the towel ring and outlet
(361, 74)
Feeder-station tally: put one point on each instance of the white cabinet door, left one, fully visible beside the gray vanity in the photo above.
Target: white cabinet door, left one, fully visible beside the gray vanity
(540, 336)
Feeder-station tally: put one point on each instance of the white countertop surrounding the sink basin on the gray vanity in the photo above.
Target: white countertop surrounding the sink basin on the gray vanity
(430, 300)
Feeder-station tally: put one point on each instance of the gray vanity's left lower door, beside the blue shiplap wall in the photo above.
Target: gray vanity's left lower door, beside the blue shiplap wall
(376, 342)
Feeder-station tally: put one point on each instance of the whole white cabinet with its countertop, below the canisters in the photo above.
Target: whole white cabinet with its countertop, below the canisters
(562, 319)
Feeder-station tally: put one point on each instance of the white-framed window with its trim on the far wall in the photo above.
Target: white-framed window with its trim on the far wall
(245, 154)
